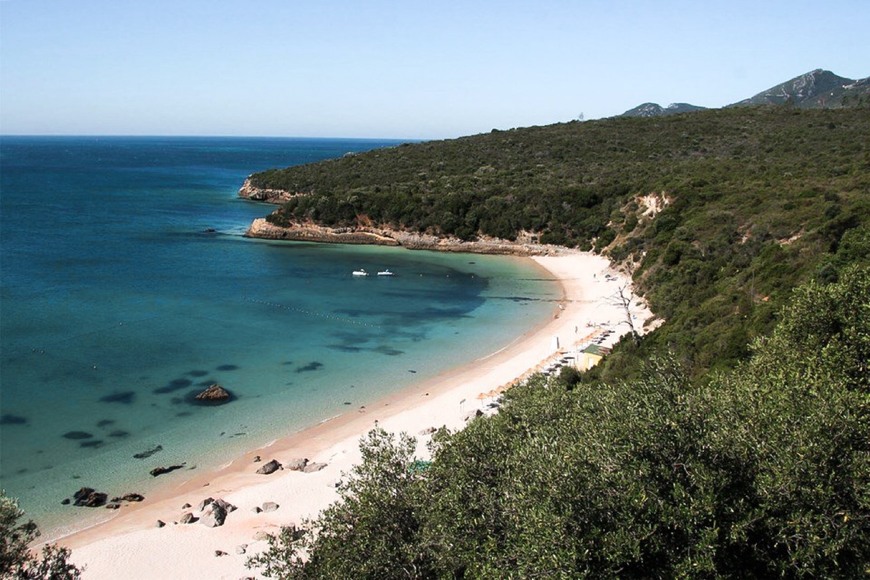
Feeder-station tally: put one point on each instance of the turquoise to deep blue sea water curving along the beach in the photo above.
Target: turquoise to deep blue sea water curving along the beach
(117, 306)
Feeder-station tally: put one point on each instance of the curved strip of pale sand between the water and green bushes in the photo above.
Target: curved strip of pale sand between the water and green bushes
(133, 546)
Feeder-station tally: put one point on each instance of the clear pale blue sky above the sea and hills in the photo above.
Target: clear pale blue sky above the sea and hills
(404, 68)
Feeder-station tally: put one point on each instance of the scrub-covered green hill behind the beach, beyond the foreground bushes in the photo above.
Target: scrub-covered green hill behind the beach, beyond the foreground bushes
(718, 213)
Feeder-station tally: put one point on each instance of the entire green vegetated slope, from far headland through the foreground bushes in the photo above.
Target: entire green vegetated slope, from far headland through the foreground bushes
(731, 442)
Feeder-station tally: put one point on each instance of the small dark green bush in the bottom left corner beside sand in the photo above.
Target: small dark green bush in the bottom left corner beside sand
(16, 559)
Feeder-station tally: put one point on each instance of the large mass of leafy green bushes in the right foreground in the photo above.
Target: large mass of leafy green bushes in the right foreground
(759, 472)
